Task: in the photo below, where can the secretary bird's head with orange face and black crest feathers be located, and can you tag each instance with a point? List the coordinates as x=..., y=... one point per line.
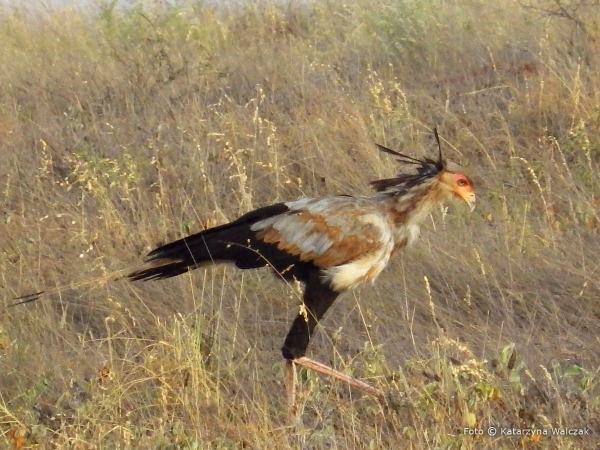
x=448, y=176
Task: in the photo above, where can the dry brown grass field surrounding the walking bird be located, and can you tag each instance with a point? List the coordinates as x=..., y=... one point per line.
x=122, y=129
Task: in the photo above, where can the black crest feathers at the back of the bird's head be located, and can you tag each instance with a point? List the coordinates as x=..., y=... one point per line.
x=426, y=168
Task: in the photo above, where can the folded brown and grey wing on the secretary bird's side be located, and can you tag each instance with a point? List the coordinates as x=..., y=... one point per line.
x=329, y=231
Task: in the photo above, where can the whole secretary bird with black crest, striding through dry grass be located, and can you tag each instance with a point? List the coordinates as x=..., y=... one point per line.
x=332, y=244
